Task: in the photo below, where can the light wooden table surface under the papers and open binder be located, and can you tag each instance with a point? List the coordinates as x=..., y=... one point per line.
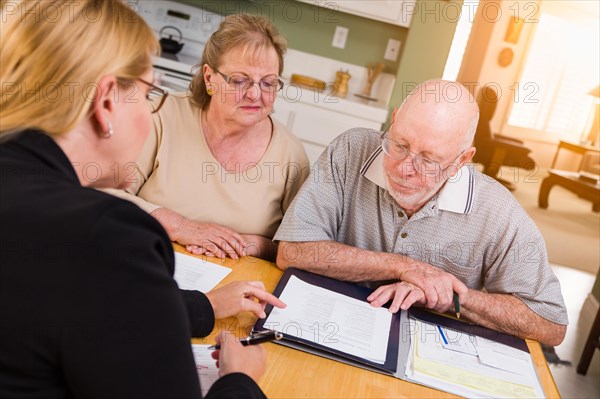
x=295, y=374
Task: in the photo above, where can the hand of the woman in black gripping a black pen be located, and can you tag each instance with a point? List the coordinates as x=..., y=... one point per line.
x=235, y=358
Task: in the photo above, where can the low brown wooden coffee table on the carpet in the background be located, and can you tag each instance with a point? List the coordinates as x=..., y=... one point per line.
x=572, y=182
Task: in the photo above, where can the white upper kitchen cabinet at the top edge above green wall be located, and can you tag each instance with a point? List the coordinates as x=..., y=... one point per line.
x=397, y=12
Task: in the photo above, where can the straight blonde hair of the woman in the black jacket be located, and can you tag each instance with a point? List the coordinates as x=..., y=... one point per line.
x=55, y=52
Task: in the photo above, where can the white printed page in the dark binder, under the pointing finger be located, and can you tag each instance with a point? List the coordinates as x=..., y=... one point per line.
x=333, y=320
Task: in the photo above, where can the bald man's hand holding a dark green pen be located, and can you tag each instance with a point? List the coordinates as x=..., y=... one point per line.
x=437, y=285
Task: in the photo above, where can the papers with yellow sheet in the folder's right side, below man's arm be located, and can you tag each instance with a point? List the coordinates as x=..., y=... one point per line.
x=469, y=366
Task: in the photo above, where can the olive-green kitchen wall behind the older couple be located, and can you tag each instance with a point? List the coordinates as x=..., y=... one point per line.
x=423, y=53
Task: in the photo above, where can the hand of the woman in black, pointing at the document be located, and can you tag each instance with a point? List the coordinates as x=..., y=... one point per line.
x=242, y=296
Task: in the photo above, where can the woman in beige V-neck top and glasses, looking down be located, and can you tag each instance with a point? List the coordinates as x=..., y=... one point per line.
x=218, y=172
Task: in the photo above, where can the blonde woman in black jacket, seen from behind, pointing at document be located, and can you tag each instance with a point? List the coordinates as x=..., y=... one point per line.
x=88, y=305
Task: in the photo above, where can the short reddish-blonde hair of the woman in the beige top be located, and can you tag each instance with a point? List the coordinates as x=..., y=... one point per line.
x=253, y=33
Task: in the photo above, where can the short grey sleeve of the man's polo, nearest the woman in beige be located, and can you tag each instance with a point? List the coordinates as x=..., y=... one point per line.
x=316, y=212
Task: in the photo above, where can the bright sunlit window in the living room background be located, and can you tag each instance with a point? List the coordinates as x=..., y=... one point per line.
x=562, y=64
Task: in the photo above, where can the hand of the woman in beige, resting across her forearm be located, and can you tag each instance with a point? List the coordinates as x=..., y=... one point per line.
x=210, y=239
